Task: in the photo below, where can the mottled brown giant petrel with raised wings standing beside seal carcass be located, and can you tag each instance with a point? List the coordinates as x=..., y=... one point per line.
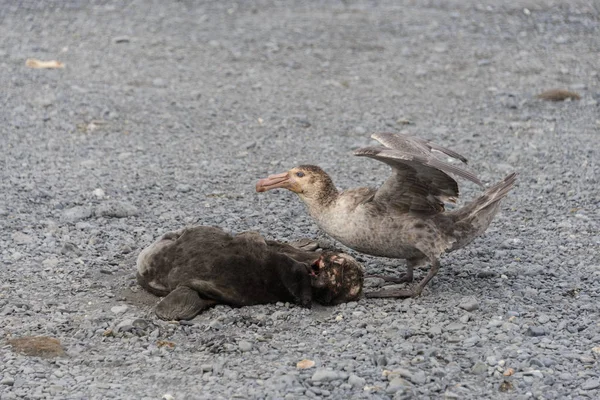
x=405, y=217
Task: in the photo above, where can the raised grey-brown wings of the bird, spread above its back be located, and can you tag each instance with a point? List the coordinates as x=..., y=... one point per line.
x=420, y=181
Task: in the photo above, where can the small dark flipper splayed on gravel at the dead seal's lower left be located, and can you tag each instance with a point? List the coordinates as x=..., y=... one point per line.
x=182, y=303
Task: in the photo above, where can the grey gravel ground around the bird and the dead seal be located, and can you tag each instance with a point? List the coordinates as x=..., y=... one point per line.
x=167, y=113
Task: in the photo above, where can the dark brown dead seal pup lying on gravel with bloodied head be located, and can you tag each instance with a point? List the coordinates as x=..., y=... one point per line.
x=196, y=268
